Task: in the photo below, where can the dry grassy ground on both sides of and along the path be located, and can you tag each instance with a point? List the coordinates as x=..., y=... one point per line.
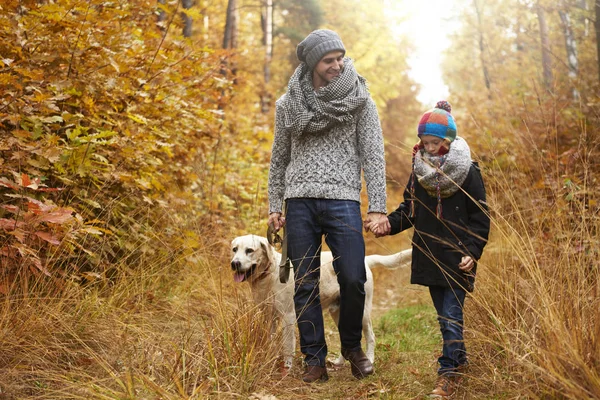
x=185, y=330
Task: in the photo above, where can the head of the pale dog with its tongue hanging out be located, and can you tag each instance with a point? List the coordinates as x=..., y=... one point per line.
x=251, y=256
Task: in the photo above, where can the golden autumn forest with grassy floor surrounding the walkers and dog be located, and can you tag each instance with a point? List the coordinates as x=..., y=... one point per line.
x=135, y=141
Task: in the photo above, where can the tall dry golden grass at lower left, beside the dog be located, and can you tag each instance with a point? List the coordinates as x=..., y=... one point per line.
x=174, y=328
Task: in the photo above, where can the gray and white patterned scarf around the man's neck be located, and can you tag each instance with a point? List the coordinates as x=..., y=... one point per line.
x=313, y=111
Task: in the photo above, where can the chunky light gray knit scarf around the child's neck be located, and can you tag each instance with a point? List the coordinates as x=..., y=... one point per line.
x=441, y=176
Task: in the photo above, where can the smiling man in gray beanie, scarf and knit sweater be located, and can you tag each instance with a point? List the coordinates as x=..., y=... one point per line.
x=327, y=131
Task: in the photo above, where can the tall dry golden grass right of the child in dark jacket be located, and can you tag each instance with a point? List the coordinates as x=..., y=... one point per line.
x=534, y=323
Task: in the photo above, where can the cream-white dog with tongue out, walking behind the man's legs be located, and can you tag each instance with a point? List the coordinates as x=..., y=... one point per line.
x=255, y=261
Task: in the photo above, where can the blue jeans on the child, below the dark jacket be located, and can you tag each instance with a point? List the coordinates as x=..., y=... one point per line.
x=449, y=305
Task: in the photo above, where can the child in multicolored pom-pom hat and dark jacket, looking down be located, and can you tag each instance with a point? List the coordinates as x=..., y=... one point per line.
x=444, y=201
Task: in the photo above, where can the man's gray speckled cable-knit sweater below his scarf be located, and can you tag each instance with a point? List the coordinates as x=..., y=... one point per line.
x=328, y=165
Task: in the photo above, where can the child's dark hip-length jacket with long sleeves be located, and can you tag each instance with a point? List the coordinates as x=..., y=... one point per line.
x=439, y=244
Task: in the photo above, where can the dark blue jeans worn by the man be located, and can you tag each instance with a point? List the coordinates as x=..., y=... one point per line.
x=340, y=221
